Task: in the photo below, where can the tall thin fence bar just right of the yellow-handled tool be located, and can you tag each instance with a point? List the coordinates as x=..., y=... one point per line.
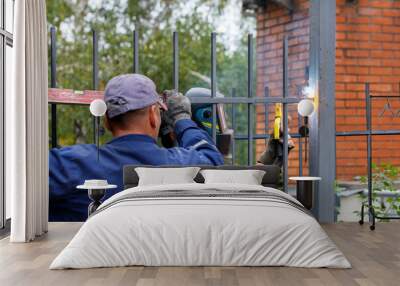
x=285, y=114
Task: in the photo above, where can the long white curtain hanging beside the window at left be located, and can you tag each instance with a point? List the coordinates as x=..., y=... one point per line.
x=26, y=124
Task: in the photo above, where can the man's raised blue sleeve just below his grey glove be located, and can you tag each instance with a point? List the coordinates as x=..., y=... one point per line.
x=199, y=147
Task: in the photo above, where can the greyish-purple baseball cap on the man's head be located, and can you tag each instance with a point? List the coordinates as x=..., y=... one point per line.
x=130, y=92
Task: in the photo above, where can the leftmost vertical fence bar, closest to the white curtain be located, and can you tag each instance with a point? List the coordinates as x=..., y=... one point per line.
x=53, y=84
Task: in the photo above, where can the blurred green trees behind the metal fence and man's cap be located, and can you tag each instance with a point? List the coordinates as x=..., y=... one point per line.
x=155, y=20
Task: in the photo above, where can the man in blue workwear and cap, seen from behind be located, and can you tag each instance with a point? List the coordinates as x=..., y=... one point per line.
x=134, y=117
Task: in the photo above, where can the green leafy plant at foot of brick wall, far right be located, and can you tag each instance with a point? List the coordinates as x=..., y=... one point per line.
x=383, y=179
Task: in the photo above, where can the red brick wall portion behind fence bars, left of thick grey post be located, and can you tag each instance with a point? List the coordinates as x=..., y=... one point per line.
x=272, y=24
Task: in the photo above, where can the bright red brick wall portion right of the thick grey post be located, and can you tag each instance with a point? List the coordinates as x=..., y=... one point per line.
x=367, y=50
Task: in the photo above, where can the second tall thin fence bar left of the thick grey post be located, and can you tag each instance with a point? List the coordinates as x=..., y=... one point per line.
x=250, y=106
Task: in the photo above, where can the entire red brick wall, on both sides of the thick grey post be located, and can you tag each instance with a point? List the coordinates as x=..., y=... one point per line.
x=368, y=50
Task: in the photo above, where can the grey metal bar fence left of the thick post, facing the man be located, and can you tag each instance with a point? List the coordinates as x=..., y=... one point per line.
x=250, y=100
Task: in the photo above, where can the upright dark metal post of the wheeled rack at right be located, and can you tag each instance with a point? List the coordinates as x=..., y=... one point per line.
x=369, y=144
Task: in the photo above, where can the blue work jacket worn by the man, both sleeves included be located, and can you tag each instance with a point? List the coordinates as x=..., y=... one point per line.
x=71, y=166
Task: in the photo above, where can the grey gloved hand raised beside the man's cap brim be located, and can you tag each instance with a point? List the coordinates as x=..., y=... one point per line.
x=178, y=107
